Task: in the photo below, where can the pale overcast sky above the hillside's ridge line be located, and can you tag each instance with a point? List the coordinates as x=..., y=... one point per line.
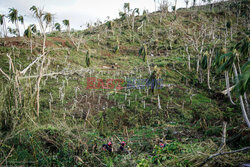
x=79, y=12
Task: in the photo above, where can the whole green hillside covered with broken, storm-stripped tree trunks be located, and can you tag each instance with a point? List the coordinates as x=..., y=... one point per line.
x=189, y=113
